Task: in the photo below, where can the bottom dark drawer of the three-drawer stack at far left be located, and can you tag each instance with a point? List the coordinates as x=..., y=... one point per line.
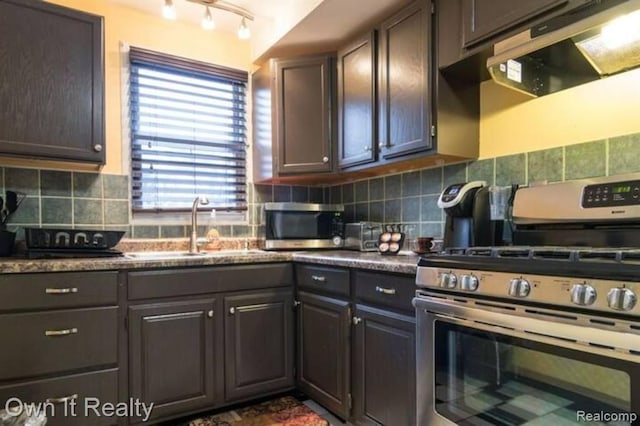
x=88, y=387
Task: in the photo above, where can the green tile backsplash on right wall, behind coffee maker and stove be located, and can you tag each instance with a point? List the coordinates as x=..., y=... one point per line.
x=401, y=191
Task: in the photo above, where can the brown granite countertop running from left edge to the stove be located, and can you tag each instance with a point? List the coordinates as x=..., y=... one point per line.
x=157, y=260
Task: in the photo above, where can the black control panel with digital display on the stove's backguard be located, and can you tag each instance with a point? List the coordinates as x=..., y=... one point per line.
x=613, y=194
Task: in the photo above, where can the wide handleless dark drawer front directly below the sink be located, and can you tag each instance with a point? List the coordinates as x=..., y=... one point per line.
x=192, y=281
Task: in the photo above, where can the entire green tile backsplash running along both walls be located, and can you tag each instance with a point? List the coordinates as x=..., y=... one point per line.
x=95, y=200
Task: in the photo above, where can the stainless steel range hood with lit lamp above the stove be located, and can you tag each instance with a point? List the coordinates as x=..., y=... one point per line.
x=595, y=41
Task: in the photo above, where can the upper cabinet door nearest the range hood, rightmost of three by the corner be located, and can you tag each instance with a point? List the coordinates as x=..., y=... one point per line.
x=404, y=83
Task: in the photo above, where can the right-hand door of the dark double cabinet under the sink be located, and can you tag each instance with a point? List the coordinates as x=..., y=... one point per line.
x=258, y=343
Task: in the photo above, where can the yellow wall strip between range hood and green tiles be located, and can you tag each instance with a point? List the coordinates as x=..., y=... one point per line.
x=512, y=122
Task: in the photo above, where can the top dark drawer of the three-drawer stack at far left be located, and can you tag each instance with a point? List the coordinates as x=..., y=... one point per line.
x=58, y=290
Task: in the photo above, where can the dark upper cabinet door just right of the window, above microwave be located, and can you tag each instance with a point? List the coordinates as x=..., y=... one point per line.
x=304, y=116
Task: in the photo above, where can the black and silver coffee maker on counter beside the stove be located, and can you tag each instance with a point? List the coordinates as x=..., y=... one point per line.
x=468, y=210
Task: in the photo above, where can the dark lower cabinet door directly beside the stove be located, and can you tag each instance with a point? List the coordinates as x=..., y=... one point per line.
x=384, y=385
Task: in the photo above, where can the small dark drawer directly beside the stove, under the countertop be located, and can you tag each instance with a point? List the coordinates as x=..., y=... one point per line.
x=394, y=291
